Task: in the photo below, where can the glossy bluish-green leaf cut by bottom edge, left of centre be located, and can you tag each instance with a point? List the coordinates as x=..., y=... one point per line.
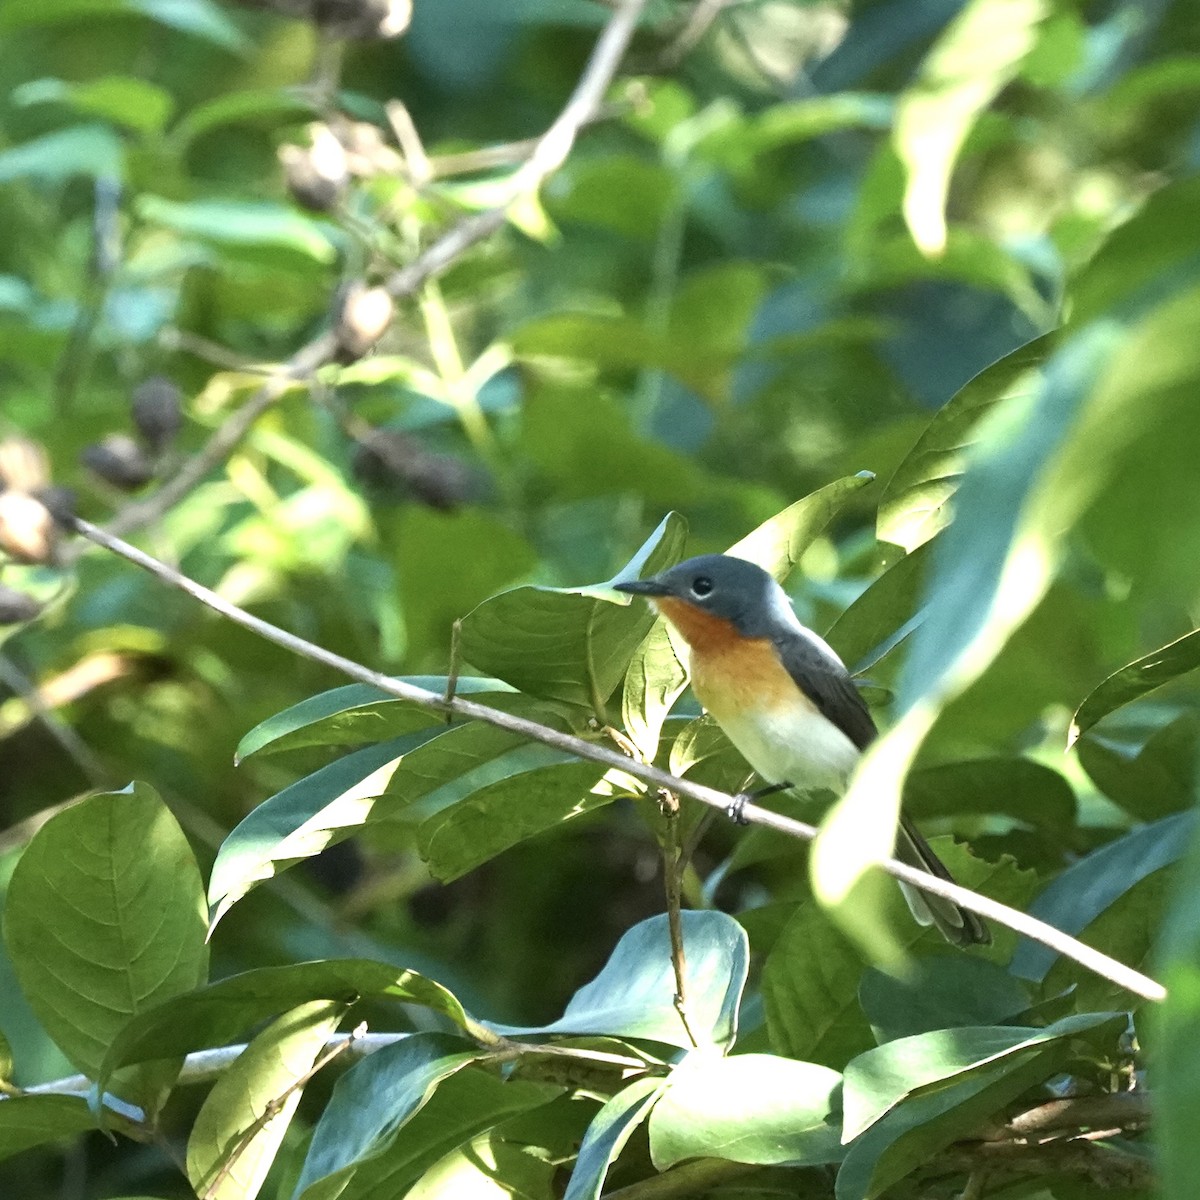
x=373, y=1102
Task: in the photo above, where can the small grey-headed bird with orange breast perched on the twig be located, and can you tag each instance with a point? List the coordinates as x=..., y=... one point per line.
x=784, y=699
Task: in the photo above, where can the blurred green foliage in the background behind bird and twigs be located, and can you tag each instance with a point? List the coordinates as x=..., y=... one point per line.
x=717, y=307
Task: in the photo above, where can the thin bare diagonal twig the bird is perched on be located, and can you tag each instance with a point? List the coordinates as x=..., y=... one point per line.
x=1022, y=923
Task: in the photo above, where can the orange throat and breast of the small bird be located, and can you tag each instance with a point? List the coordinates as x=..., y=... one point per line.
x=730, y=674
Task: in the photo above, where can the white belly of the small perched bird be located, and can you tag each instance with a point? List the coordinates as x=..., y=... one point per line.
x=799, y=747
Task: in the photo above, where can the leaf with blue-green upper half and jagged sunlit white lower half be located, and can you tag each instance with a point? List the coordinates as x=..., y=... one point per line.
x=315, y=813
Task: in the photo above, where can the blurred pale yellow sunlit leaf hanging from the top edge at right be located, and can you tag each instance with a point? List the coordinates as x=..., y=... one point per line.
x=976, y=56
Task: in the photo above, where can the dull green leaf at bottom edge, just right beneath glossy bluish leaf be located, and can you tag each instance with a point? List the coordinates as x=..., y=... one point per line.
x=465, y=1105
